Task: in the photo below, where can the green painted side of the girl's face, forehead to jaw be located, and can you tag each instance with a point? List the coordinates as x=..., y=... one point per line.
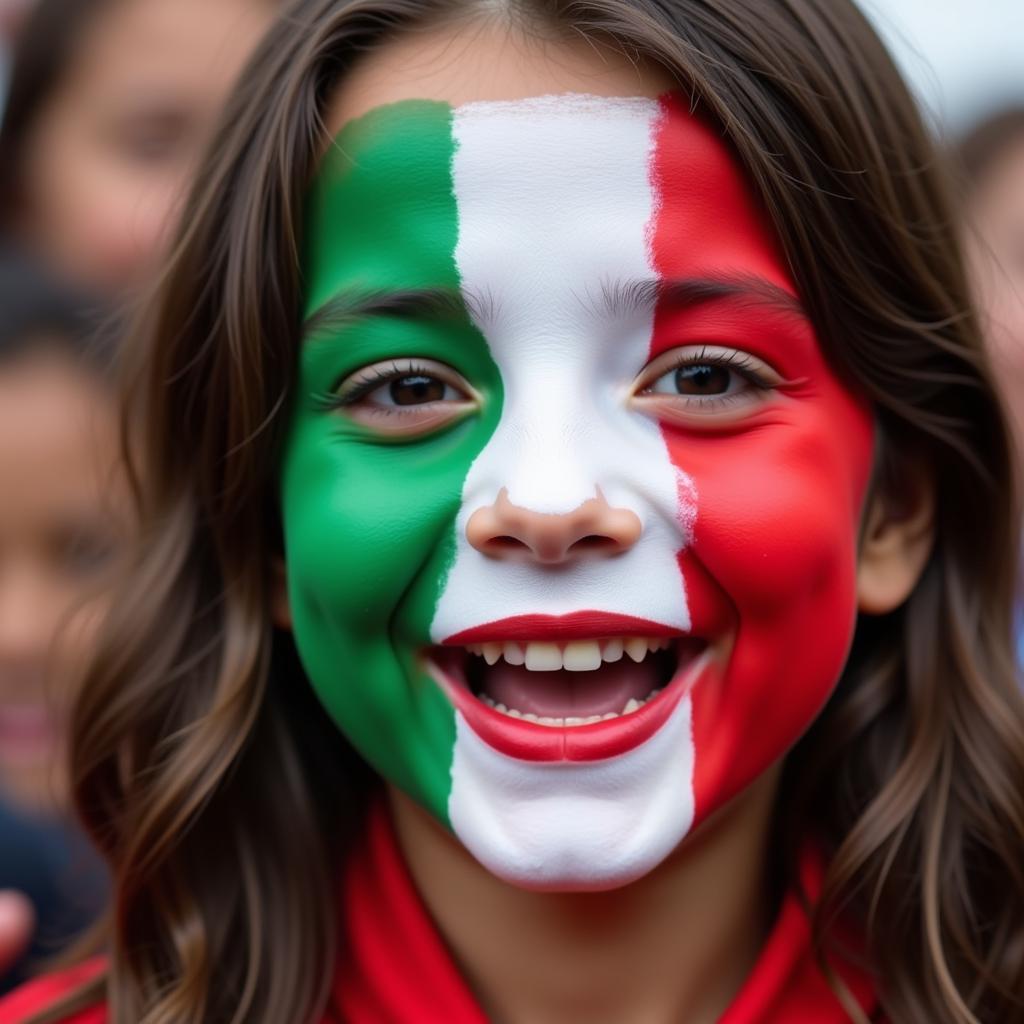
x=369, y=521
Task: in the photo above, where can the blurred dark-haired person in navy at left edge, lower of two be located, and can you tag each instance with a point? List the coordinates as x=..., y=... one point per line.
x=62, y=525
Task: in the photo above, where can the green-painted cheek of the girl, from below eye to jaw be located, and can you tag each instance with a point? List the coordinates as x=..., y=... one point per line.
x=368, y=536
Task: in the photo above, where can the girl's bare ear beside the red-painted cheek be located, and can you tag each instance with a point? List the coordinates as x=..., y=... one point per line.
x=895, y=544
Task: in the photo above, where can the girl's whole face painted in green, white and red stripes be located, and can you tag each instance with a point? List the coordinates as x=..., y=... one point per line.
x=571, y=496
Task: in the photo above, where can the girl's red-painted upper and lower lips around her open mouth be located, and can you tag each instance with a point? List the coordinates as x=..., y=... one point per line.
x=531, y=742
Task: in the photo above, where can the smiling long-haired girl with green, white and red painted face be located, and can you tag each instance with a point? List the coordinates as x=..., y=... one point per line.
x=578, y=408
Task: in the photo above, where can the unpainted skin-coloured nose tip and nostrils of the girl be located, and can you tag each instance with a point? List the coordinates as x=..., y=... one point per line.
x=509, y=532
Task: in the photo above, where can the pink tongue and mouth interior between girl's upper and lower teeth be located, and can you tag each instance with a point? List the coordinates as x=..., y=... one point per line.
x=566, y=695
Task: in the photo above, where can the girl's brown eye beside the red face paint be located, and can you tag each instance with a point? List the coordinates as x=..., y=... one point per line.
x=705, y=380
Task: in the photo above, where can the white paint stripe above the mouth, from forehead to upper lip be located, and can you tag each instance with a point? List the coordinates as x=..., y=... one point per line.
x=556, y=203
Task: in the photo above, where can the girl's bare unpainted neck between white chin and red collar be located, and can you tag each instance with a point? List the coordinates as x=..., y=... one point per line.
x=675, y=946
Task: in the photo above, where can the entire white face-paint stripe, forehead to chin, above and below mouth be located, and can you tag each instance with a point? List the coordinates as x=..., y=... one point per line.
x=556, y=207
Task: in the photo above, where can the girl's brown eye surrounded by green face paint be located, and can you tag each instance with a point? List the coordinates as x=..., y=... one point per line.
x=404, y=398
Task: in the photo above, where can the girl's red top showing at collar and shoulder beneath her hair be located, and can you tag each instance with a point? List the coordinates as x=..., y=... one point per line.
x=398, y=969
